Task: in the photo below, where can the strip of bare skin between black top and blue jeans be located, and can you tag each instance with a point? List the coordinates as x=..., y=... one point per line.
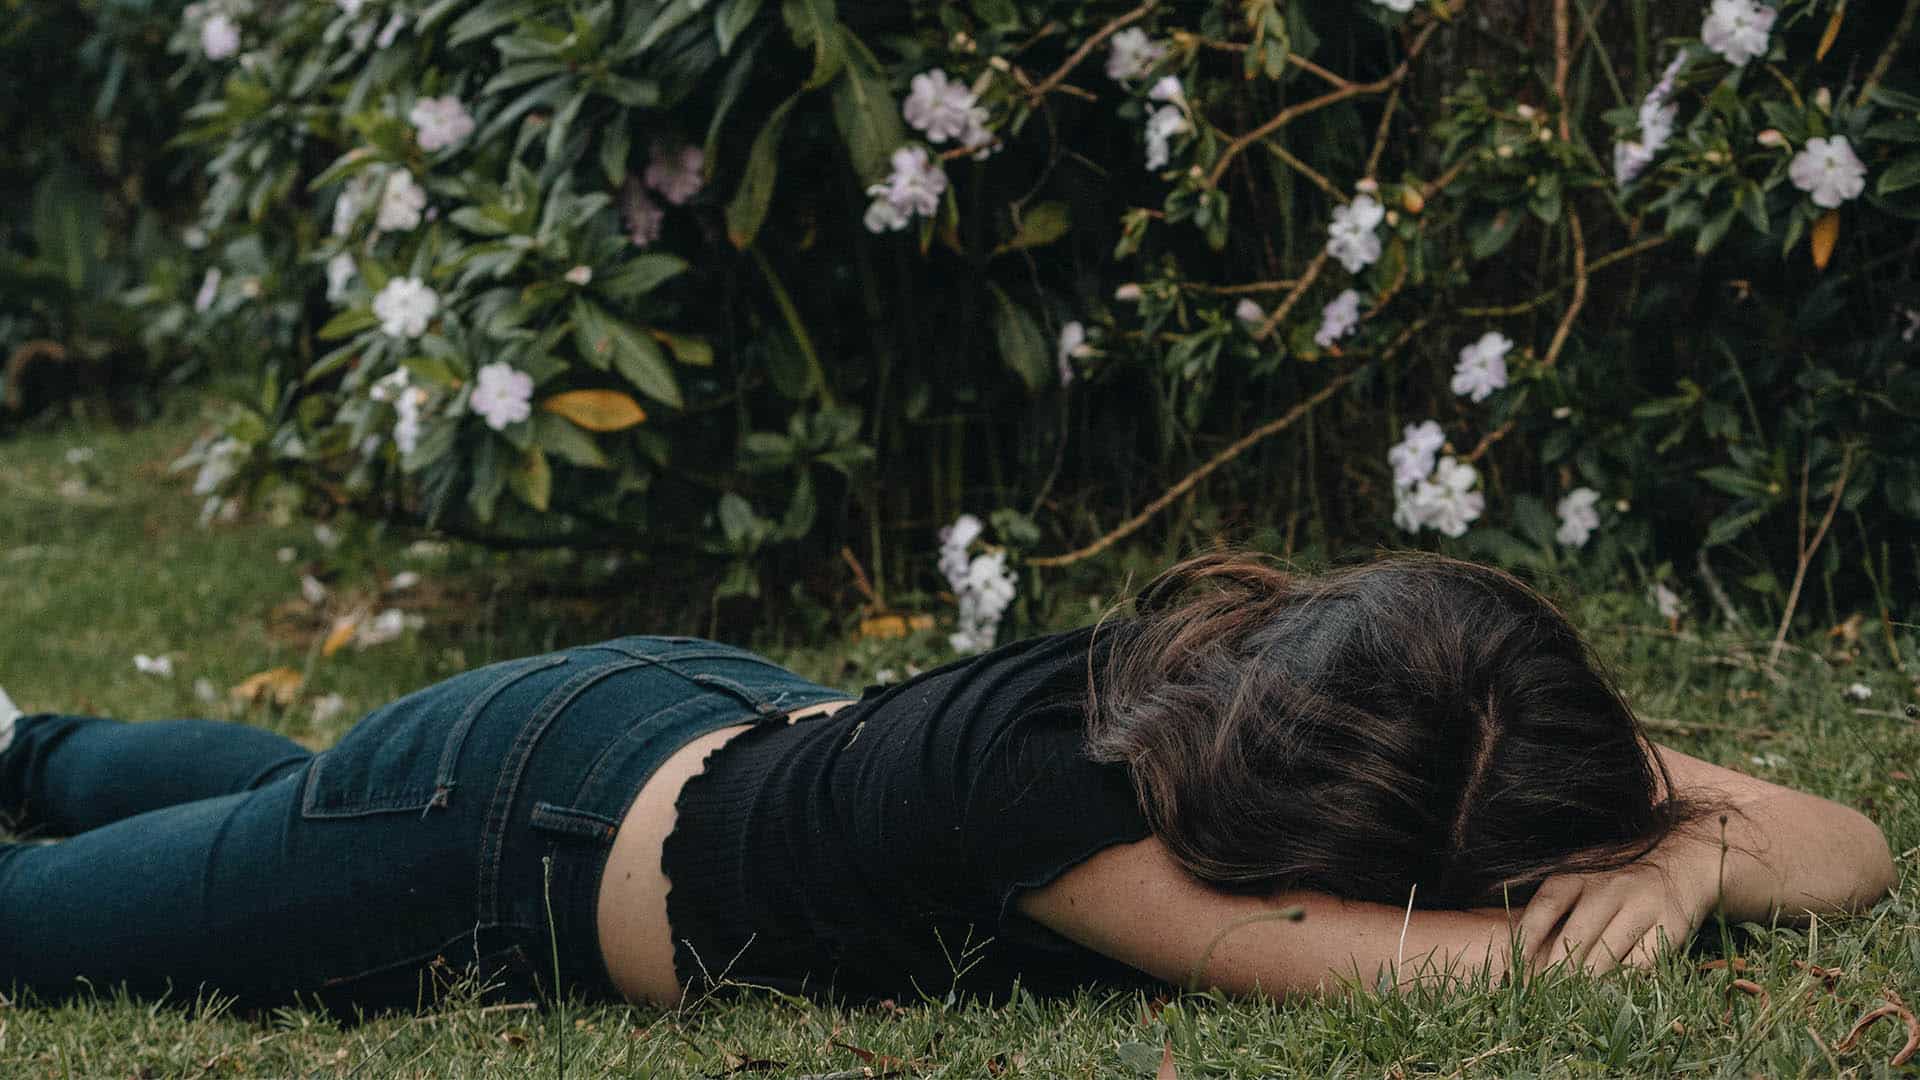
x=636, y=939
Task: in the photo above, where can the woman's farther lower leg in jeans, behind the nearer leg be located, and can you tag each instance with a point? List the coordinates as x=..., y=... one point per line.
x=64, y=775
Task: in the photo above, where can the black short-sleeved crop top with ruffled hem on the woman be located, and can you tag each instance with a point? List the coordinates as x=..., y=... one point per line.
x=878, y=852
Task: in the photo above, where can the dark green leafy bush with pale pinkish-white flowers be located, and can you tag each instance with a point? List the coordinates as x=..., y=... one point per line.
x=677, y=272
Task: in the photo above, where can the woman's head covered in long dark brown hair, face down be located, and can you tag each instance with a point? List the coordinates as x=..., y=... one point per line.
x=1412, y=722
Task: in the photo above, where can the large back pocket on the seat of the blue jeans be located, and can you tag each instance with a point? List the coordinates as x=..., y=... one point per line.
x=402, y=756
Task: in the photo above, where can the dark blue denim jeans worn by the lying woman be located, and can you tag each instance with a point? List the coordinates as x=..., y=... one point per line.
x=458, y=831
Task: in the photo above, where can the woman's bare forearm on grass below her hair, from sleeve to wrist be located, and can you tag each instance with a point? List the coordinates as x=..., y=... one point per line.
x=1141, y=908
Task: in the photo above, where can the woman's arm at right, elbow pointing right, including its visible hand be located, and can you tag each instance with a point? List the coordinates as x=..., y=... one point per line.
x=1787, y=856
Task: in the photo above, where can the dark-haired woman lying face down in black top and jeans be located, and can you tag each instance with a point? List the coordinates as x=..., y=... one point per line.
x=1124, y=804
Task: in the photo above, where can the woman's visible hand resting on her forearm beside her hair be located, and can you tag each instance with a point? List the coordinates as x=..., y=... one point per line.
x=1602, y=921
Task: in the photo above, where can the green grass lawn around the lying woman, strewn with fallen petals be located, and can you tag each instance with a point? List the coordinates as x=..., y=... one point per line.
x=105, y=558
